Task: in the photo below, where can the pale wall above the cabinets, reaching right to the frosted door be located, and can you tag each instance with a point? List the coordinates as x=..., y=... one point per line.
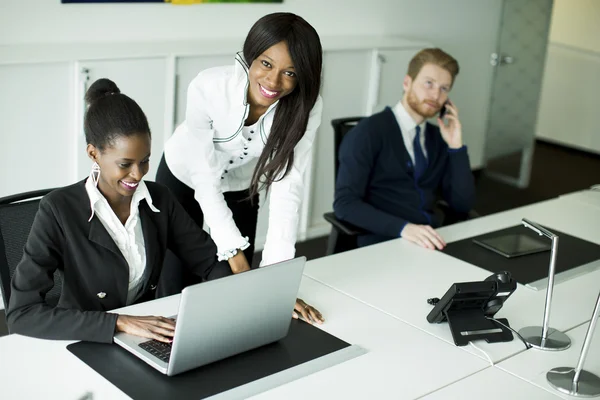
x=466, y=28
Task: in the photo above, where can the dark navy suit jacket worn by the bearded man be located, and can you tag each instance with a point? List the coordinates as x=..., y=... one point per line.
x=376, y=188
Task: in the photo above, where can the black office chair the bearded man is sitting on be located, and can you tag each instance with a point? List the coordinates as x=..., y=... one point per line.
x=343, y=234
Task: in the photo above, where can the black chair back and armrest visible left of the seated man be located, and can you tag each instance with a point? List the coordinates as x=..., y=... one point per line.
x=343, y=234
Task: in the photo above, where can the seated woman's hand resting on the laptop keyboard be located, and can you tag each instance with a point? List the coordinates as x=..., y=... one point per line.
x=159, y=328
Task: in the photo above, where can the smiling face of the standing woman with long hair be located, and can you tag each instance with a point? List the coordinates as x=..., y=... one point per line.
x=272, y=76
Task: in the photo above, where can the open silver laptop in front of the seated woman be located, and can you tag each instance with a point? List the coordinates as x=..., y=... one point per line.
x=218, y=319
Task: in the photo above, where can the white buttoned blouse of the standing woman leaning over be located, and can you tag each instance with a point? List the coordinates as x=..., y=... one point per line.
x=212, y=152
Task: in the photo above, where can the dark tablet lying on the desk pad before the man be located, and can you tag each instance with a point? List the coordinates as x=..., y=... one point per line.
x=514, y=244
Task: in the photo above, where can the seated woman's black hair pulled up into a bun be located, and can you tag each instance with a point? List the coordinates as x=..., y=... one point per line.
x=111, y=114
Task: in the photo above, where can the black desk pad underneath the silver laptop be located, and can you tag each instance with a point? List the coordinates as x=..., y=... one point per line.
x=140, y=381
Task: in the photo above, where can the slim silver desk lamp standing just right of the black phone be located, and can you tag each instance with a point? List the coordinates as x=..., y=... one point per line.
x=543, y=337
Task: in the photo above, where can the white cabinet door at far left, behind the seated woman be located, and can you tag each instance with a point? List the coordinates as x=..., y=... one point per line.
x=35, y=127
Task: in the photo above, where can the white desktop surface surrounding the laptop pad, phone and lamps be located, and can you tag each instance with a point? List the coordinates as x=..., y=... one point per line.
x=376, y=298
